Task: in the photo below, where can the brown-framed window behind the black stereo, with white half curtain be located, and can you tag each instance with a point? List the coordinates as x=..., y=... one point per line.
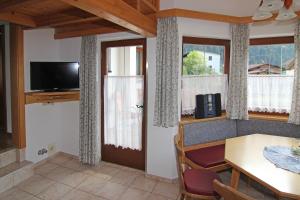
x=205, y=65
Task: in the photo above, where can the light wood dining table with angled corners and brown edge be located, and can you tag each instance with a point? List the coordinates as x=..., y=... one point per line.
x=245, y=155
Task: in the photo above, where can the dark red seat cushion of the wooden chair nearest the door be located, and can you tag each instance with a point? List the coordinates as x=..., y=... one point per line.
x=200, y=181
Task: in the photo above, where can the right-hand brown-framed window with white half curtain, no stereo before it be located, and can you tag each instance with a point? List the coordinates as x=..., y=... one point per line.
x=271, y=74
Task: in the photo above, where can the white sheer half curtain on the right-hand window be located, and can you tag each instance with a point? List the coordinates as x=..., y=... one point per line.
x=270, y=93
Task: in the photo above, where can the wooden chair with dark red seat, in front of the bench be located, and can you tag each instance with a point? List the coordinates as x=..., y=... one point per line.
x=194, y=183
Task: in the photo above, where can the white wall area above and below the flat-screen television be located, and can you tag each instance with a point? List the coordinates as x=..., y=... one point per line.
x=50, y=124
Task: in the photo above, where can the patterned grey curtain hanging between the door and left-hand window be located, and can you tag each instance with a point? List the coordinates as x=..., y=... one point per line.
x=167, y=66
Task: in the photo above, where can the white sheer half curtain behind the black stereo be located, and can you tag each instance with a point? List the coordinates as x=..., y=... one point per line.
x=194, y=85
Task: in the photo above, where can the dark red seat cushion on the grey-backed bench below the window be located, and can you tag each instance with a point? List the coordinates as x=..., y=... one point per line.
x=208, y=157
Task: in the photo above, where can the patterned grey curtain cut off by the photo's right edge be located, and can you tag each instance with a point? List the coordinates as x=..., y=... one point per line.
x=295, y=108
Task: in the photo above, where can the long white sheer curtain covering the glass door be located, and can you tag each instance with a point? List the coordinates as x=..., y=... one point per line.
x=123, y=96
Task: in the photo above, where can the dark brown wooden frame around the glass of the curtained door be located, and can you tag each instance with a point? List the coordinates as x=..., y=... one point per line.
x=118, y=159
